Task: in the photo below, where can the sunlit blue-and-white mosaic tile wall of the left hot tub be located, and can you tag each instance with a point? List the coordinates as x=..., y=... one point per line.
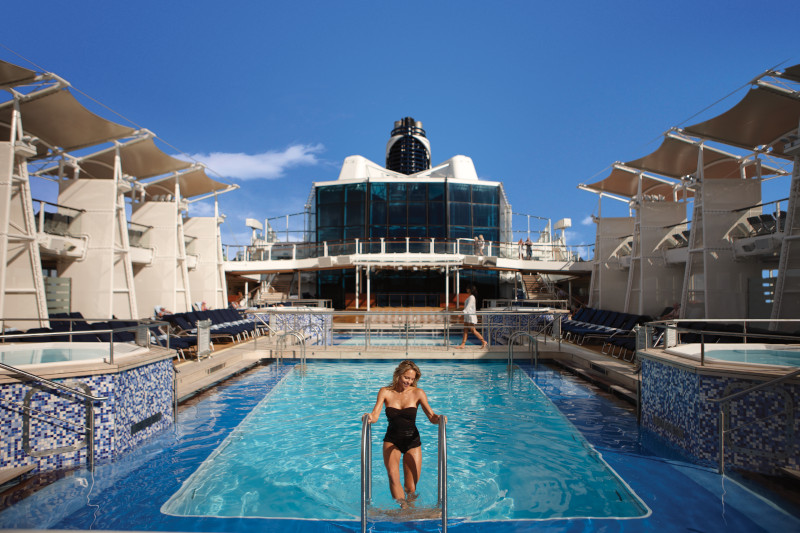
x=139, y=405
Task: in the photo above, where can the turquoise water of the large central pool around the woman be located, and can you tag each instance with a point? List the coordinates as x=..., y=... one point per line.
x=512, y=454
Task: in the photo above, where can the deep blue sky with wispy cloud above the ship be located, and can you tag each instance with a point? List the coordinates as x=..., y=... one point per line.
x=541, y=95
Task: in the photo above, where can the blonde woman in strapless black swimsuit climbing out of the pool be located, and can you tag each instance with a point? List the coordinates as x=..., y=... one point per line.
x=402, y=436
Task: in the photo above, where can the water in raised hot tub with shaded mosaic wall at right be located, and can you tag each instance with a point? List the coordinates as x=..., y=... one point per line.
x=786, y=355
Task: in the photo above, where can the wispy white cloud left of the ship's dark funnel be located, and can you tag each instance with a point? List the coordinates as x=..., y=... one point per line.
x=266, y=165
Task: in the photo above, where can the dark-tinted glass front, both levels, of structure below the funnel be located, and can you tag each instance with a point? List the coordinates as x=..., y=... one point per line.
x=418, y=208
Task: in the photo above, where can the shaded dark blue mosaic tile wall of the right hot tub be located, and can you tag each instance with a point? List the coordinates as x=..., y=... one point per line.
x=674, y=406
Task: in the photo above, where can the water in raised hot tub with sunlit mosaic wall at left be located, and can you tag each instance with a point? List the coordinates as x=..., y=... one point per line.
x=60, y=352
